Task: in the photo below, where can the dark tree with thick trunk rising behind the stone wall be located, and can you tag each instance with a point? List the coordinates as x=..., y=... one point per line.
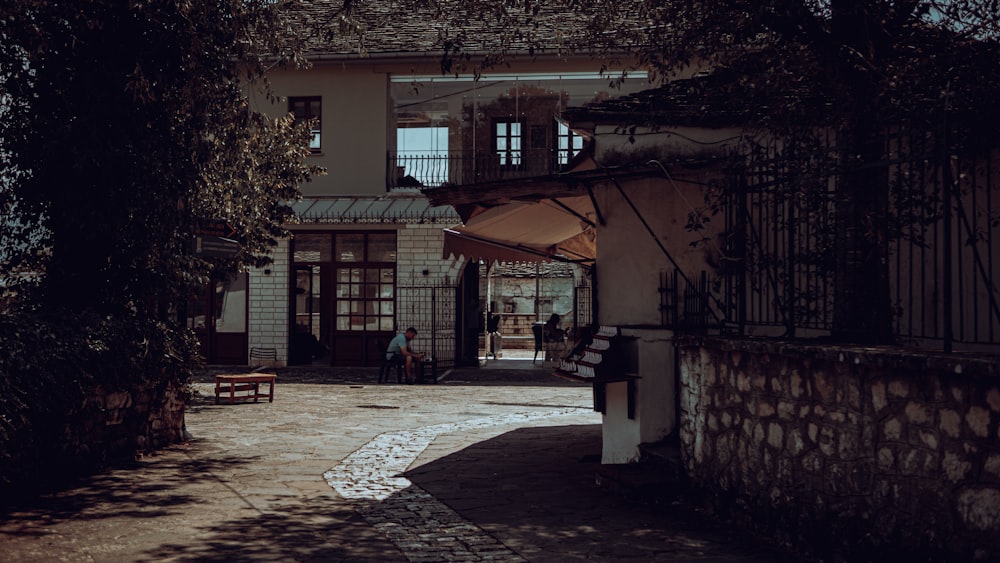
x=873, y=65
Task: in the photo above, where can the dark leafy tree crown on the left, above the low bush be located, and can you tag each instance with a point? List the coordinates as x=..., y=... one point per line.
x=129, y=124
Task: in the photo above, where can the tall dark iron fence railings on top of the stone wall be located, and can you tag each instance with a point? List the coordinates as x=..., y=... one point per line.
x=944, y=249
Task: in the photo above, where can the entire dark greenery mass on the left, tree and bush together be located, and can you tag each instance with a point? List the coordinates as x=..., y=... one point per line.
x=124, y=126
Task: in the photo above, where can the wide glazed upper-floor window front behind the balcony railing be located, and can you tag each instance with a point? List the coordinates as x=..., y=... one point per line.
x=467, y=129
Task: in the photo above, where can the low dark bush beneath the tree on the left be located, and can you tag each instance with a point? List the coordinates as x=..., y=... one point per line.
x=52, y=367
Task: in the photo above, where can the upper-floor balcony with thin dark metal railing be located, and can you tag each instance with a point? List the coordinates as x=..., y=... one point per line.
x=459, y=168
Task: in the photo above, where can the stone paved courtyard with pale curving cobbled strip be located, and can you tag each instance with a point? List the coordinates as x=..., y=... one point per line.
x=487, y=465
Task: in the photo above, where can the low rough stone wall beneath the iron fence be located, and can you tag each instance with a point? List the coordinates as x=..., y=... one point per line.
x=846, y=452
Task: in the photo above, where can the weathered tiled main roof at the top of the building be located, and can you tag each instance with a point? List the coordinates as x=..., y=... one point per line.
x=393, y=27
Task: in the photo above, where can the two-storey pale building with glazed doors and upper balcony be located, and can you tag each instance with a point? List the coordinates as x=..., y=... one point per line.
x=368, y=256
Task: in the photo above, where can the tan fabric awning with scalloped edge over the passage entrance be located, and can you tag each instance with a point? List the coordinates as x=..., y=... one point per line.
x=549, y=229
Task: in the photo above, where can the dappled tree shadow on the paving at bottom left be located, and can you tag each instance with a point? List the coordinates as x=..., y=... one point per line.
x=173, y=504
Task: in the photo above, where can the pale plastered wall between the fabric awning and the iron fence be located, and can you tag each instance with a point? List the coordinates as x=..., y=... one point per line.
x=630, y=265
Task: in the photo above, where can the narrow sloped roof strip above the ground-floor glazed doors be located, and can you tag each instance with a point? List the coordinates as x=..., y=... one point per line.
x=393, y=208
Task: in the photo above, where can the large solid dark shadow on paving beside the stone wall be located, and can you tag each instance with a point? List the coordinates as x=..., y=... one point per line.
x=535, y=490
